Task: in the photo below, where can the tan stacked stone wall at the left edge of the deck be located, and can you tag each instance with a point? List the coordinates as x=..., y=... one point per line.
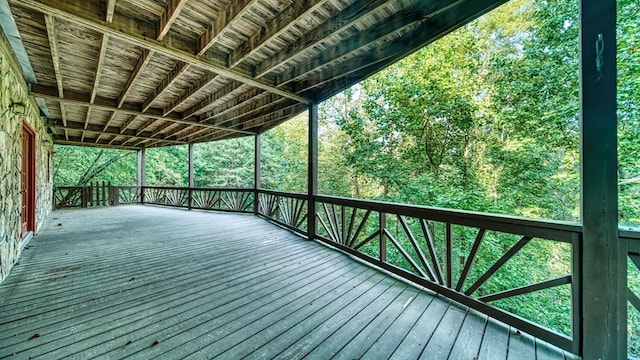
x=13, y=90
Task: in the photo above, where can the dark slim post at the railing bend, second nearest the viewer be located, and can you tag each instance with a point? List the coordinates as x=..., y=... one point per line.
x=312, y=171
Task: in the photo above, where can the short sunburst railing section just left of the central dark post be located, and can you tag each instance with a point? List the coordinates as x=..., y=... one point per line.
x=287, y=209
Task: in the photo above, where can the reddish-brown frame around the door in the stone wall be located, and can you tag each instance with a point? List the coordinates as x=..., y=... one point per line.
x=29, y=161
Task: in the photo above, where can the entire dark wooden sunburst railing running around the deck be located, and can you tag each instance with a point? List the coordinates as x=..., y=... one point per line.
x=462, y=255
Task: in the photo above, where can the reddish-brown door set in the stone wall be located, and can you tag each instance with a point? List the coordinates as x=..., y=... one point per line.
x=27, y=180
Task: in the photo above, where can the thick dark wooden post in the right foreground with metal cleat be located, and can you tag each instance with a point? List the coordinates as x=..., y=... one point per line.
x=604, y=257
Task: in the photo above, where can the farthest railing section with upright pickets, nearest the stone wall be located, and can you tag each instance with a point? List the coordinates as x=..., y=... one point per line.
x=93, y=195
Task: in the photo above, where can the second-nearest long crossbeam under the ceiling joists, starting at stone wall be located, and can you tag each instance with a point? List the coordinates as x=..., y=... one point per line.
x=80, y=99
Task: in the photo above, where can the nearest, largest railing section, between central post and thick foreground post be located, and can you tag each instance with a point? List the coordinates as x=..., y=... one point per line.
x=465, y=256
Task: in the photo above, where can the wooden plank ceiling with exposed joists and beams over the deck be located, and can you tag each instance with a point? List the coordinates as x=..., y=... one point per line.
x=145, y=73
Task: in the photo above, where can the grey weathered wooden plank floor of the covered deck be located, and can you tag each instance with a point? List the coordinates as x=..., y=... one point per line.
x=142, y=282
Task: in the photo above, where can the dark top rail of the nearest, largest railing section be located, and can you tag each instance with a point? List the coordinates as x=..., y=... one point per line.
x=547, y=229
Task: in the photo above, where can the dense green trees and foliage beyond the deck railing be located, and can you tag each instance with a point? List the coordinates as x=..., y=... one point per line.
x=485, y=119
